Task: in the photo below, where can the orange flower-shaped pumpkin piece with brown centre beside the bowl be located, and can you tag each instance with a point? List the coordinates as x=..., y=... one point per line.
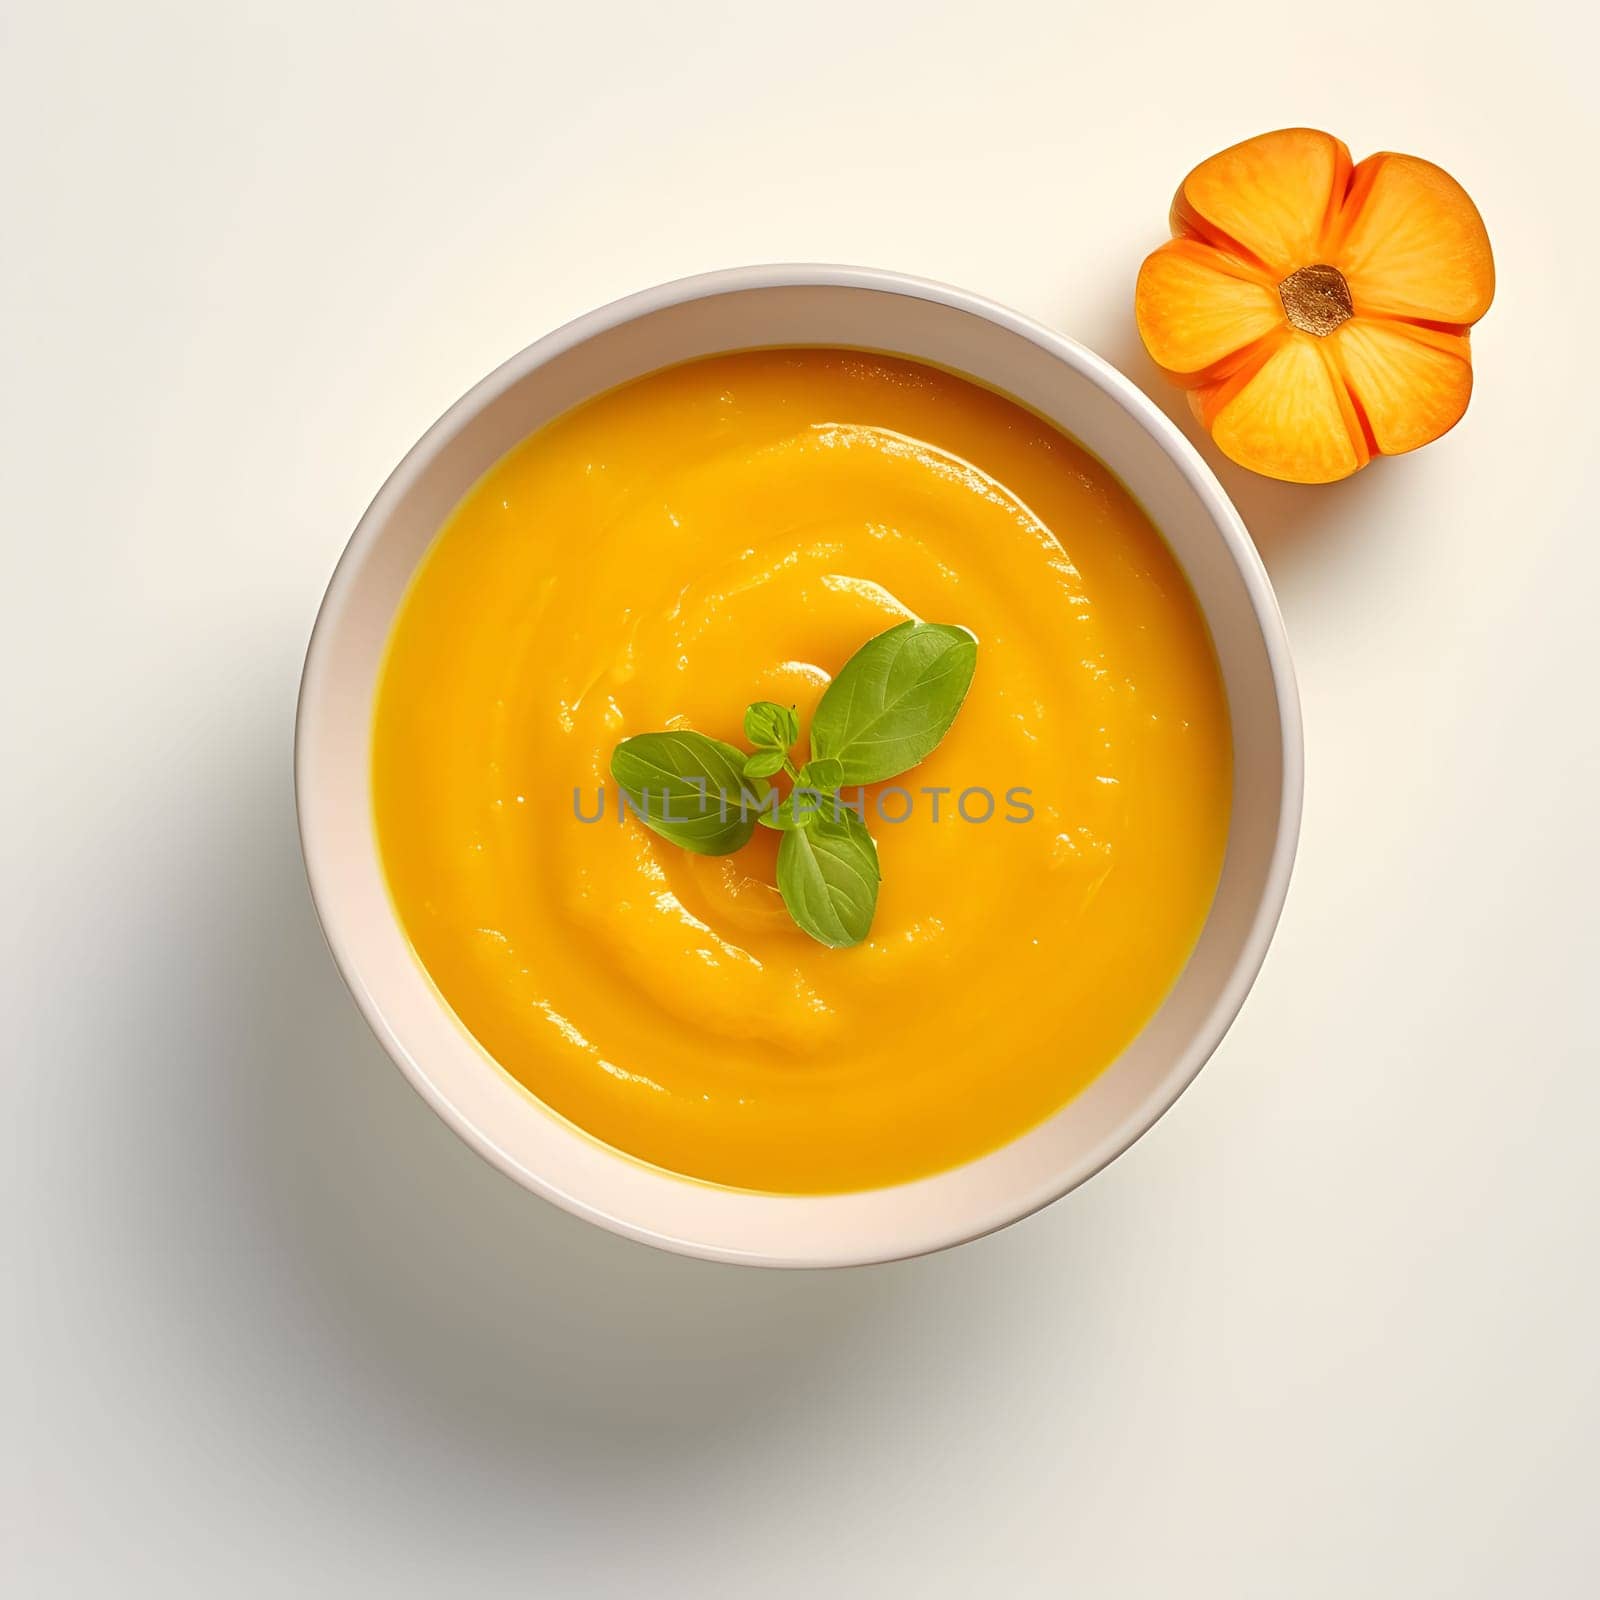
x=1318, y=311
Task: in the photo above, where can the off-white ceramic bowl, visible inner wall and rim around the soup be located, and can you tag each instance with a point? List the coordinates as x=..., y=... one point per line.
x=730, y=311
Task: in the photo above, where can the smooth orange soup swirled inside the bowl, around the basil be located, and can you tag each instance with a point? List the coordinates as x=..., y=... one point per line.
x=734, y=530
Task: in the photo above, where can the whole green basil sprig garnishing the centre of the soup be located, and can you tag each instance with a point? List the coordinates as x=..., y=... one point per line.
x=887, y=711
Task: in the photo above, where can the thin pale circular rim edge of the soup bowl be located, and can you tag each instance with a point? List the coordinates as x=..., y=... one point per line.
x=1202, y=482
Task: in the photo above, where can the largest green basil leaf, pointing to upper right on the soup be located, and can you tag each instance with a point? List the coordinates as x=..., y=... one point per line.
x=895, y=700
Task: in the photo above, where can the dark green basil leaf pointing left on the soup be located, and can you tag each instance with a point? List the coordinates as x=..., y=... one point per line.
x=687, y=788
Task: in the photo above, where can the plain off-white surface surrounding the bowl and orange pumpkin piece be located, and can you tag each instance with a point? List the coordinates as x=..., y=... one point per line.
x=1329, y=1330
